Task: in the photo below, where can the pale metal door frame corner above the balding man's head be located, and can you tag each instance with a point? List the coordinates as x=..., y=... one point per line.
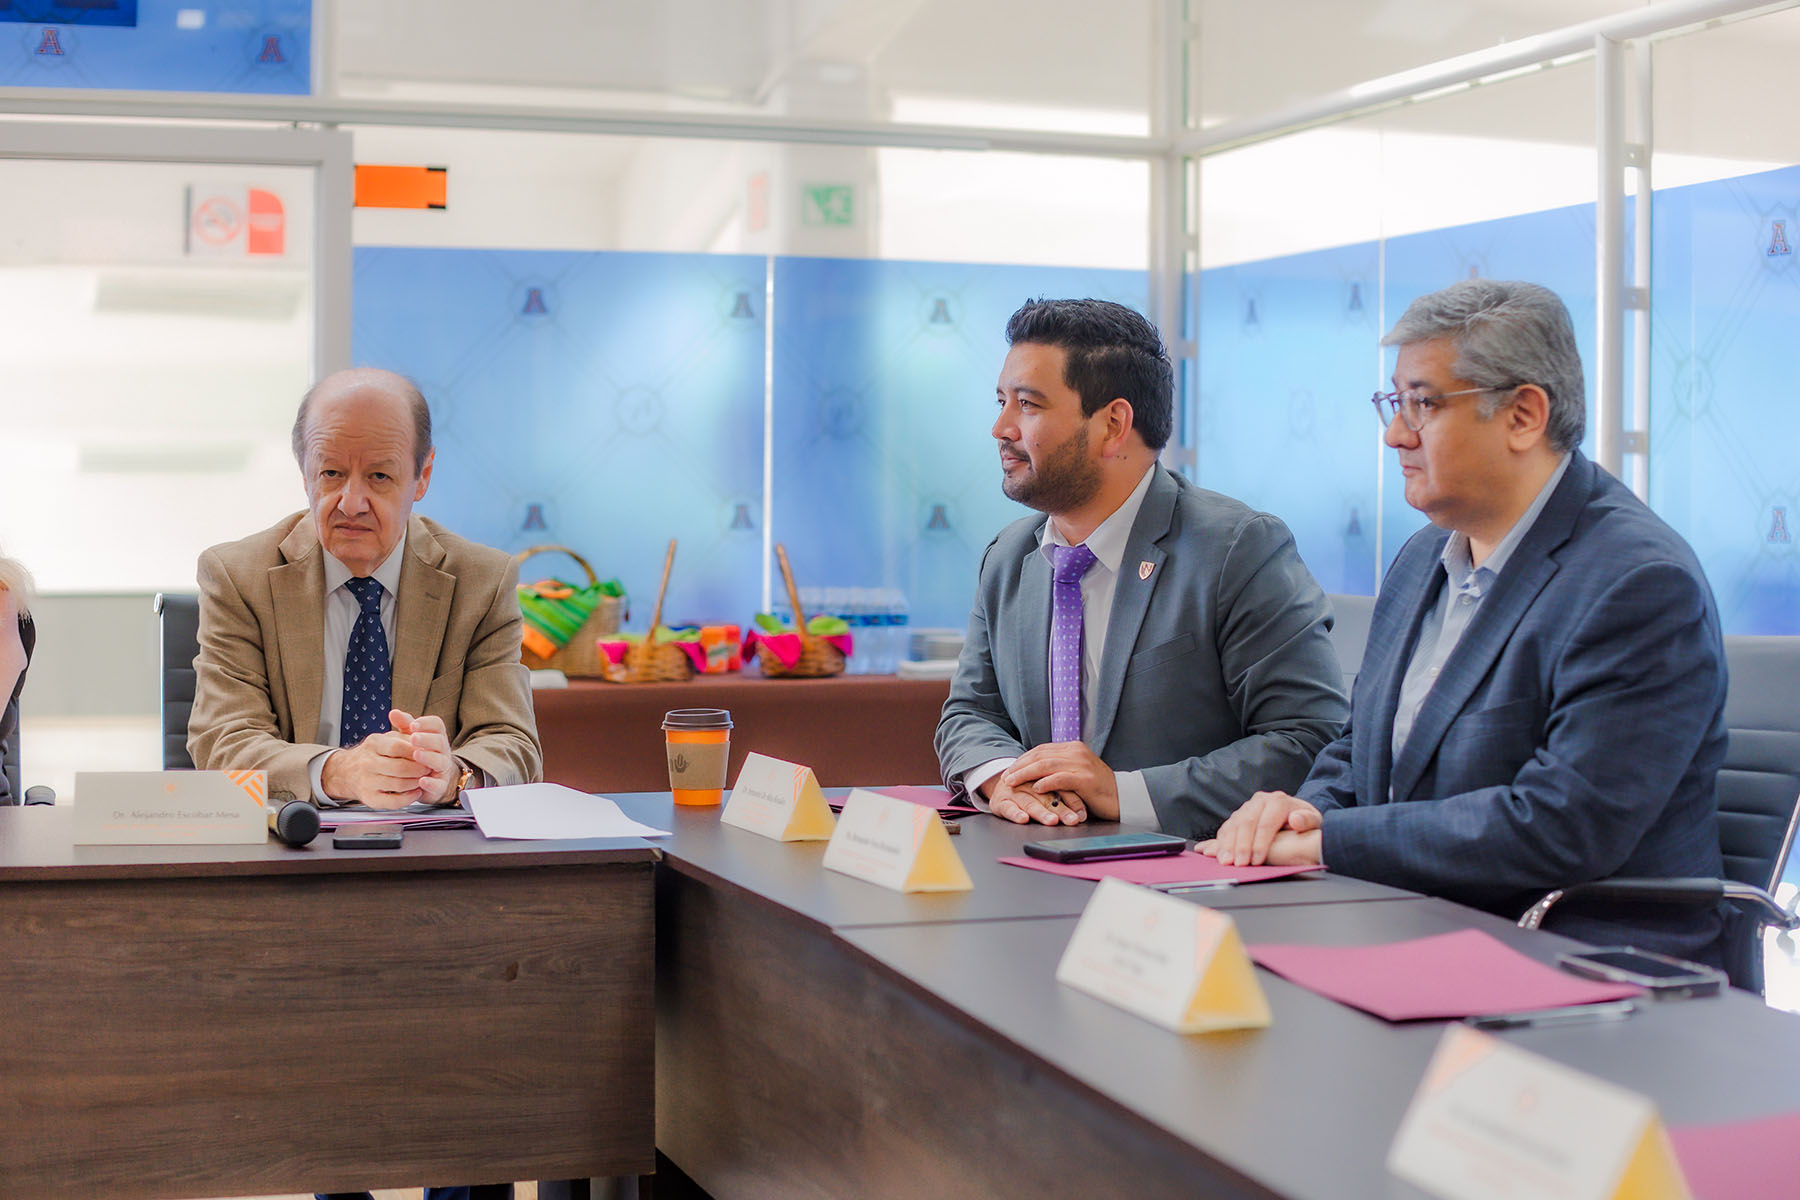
x=327, y=152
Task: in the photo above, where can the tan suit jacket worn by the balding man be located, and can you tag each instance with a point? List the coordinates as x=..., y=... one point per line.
x=260, y=674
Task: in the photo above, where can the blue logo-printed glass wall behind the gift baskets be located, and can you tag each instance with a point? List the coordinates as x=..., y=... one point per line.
x=611, y=402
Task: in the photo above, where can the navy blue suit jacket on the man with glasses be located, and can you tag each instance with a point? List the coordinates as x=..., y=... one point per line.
x=1576, y=731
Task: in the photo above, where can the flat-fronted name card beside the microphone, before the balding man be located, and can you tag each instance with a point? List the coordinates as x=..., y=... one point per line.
x=172, y=809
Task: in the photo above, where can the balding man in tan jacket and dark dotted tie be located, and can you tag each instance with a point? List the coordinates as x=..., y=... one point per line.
x=357, y=652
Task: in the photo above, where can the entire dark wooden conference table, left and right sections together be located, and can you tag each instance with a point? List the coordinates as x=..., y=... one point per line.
x=228, y=1019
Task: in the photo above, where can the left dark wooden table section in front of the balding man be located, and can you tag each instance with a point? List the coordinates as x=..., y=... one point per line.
x=256, y=1019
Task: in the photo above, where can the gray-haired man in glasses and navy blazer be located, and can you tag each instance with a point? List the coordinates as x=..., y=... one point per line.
x=1542, y=701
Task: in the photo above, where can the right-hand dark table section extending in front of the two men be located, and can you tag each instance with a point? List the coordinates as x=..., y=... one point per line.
x=823, y=1037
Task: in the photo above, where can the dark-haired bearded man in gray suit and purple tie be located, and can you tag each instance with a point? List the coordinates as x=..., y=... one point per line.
x=1149, y=652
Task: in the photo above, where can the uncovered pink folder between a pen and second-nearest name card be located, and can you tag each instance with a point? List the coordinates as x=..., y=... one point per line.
x=1462, y=974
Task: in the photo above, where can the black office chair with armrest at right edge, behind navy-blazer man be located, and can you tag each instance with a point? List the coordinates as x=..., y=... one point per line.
x=1759, y=807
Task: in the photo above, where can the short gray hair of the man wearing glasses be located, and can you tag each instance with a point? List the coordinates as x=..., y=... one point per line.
x=1507, y=336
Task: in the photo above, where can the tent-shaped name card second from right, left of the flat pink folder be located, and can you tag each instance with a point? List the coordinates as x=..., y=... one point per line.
x=1164, y=960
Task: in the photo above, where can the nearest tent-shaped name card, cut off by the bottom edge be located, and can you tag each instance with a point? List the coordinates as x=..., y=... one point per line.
x=1498, y=1124
